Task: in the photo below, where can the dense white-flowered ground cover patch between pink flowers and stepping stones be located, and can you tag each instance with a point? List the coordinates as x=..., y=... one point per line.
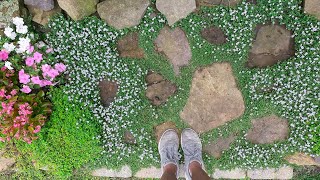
x=87, y=48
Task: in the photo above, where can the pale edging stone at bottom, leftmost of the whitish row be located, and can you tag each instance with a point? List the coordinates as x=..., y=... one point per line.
x=124, y=172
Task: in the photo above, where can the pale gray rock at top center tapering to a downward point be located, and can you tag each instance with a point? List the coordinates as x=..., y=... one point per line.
x=174, y=10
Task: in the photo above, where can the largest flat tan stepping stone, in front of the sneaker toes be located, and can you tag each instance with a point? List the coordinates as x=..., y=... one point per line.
x=214, y=98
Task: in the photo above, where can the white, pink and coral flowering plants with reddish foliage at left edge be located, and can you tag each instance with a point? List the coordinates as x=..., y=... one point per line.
x=26, y=68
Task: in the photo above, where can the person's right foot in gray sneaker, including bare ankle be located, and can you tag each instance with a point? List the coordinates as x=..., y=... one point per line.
x=192, y=148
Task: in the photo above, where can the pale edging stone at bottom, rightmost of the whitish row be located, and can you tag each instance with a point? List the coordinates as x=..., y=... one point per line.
x=271, y=173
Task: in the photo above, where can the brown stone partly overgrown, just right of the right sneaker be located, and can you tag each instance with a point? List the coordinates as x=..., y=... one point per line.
x=217, y=147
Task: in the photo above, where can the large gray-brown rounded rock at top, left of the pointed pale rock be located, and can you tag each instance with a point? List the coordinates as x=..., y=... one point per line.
x=122, y=13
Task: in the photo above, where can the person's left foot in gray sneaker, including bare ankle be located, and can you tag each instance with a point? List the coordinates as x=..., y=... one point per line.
x=168, y=150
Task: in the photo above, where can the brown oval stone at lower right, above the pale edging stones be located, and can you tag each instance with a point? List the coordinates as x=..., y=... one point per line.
x=268, y=130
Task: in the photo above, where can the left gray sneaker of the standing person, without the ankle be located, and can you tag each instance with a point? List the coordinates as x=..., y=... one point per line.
x=168, y=149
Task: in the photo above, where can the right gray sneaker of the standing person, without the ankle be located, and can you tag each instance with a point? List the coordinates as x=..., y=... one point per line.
x=192, y=148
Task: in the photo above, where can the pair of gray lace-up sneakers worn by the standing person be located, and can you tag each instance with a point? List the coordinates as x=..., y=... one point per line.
x=191, y=146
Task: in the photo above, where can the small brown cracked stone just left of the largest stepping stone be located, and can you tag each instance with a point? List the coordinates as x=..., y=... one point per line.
x=158, y=89
